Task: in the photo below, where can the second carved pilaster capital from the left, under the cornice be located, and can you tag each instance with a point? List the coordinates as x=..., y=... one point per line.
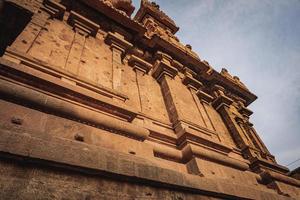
x=82, y=24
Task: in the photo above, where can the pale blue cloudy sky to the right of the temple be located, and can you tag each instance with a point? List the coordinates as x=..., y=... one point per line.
x=259, y=41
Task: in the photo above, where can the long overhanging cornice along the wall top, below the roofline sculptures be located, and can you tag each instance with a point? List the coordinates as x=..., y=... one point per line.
x=178, y=51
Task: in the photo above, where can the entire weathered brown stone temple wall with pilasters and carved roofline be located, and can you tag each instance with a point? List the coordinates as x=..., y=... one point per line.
x=98, y=104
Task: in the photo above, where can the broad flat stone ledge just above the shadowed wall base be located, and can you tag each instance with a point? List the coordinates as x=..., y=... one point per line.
x=95, y=160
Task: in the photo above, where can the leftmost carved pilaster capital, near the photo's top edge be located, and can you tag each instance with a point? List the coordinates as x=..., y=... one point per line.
x=56, y=10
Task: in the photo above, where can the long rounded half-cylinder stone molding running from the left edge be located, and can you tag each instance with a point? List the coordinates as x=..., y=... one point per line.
x=71, y=110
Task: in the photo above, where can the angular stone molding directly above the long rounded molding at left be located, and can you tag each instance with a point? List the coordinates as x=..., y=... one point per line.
x=69, y=91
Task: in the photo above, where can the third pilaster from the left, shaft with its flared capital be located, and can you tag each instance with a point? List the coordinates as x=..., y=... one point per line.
x=118, y=46
